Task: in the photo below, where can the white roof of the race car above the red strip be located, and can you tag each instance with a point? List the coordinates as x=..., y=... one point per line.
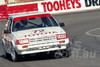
x=26, y=14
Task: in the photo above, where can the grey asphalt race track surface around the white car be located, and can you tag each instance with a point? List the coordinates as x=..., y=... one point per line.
x=83, y=30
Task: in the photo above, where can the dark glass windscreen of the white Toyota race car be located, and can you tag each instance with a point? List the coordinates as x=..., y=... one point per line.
x=34, y=22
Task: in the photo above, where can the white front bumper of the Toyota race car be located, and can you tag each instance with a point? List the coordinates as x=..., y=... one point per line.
x=42, y=49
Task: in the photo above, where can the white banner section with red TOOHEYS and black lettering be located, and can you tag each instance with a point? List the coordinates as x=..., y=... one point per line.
x=59, y=6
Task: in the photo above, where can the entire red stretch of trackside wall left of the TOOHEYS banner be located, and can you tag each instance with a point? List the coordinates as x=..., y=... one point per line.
x=5, y=10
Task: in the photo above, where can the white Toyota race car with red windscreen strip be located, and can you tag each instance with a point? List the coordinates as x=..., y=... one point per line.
x=31, y=33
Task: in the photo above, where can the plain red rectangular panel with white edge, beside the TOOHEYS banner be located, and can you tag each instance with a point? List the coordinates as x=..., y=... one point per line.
x=19, y=8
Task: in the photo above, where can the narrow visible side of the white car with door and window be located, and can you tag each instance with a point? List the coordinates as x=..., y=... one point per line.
x=7, y=34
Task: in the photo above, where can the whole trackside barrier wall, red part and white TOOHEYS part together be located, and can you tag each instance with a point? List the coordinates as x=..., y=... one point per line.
x=51, y=6
